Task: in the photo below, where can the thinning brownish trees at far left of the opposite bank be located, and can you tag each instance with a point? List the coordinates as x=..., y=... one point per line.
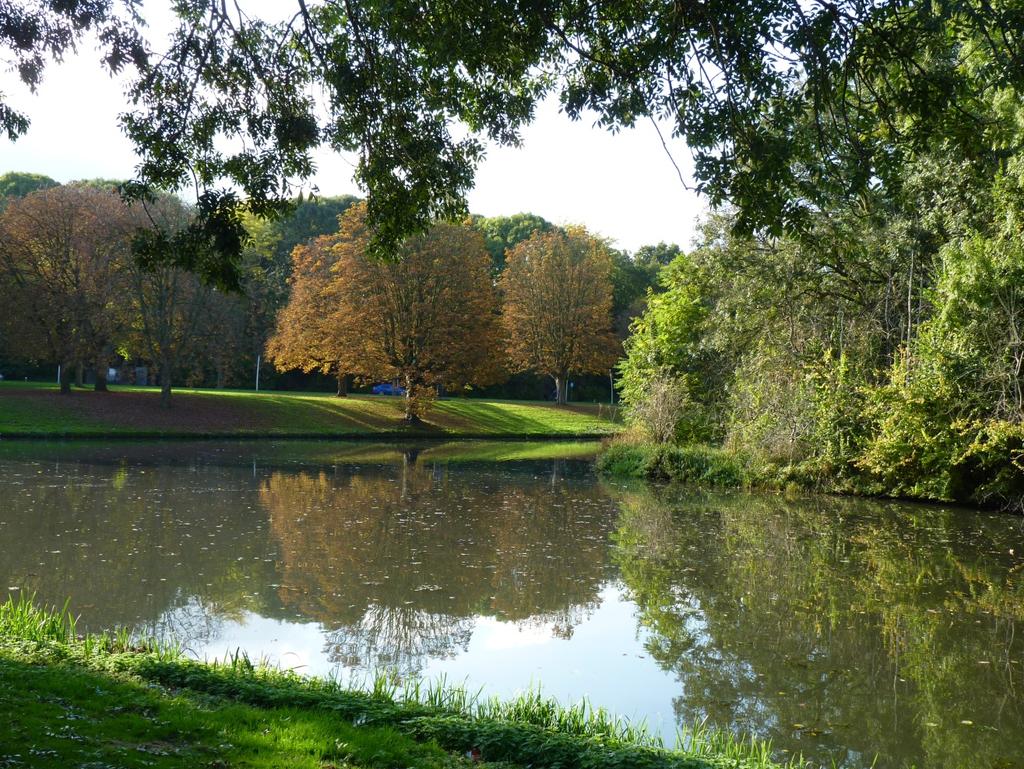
x=75, y=292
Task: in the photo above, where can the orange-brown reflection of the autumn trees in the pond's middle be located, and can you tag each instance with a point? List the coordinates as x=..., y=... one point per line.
x=397, y=563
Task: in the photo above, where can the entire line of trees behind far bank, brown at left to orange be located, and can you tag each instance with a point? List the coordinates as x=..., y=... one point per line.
x=78, y=295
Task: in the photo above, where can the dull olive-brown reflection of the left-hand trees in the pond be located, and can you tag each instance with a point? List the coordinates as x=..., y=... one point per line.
x=130, y=545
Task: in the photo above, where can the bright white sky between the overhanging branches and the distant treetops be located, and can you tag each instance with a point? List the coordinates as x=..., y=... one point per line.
x=623, y=187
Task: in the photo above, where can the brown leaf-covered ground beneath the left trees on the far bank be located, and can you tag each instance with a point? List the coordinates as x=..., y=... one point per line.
x=142, y=411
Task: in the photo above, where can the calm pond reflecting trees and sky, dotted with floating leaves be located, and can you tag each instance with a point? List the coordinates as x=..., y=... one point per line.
x=843, y=630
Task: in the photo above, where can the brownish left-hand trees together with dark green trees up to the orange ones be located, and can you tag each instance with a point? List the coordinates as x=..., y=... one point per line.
x=88, y=281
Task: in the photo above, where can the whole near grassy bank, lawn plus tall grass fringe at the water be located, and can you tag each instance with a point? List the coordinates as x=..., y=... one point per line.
x=140, y=703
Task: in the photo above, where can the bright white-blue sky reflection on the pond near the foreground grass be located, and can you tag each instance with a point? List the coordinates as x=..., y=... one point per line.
x=605, y=661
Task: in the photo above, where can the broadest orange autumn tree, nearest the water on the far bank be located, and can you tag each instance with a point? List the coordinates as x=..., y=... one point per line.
x=429, y=319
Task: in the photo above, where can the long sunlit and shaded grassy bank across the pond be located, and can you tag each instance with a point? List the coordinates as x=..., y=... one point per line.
x=40, y=412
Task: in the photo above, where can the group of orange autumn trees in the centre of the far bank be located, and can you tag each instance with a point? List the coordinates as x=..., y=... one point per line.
x=433, y=320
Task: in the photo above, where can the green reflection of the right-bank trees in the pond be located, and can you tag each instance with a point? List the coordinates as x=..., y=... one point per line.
x=837, y=628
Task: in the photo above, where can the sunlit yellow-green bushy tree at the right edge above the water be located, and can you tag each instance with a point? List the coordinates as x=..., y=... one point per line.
x=949, y=422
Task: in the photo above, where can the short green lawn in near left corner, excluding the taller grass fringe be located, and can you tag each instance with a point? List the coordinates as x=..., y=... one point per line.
x=71, y=717
